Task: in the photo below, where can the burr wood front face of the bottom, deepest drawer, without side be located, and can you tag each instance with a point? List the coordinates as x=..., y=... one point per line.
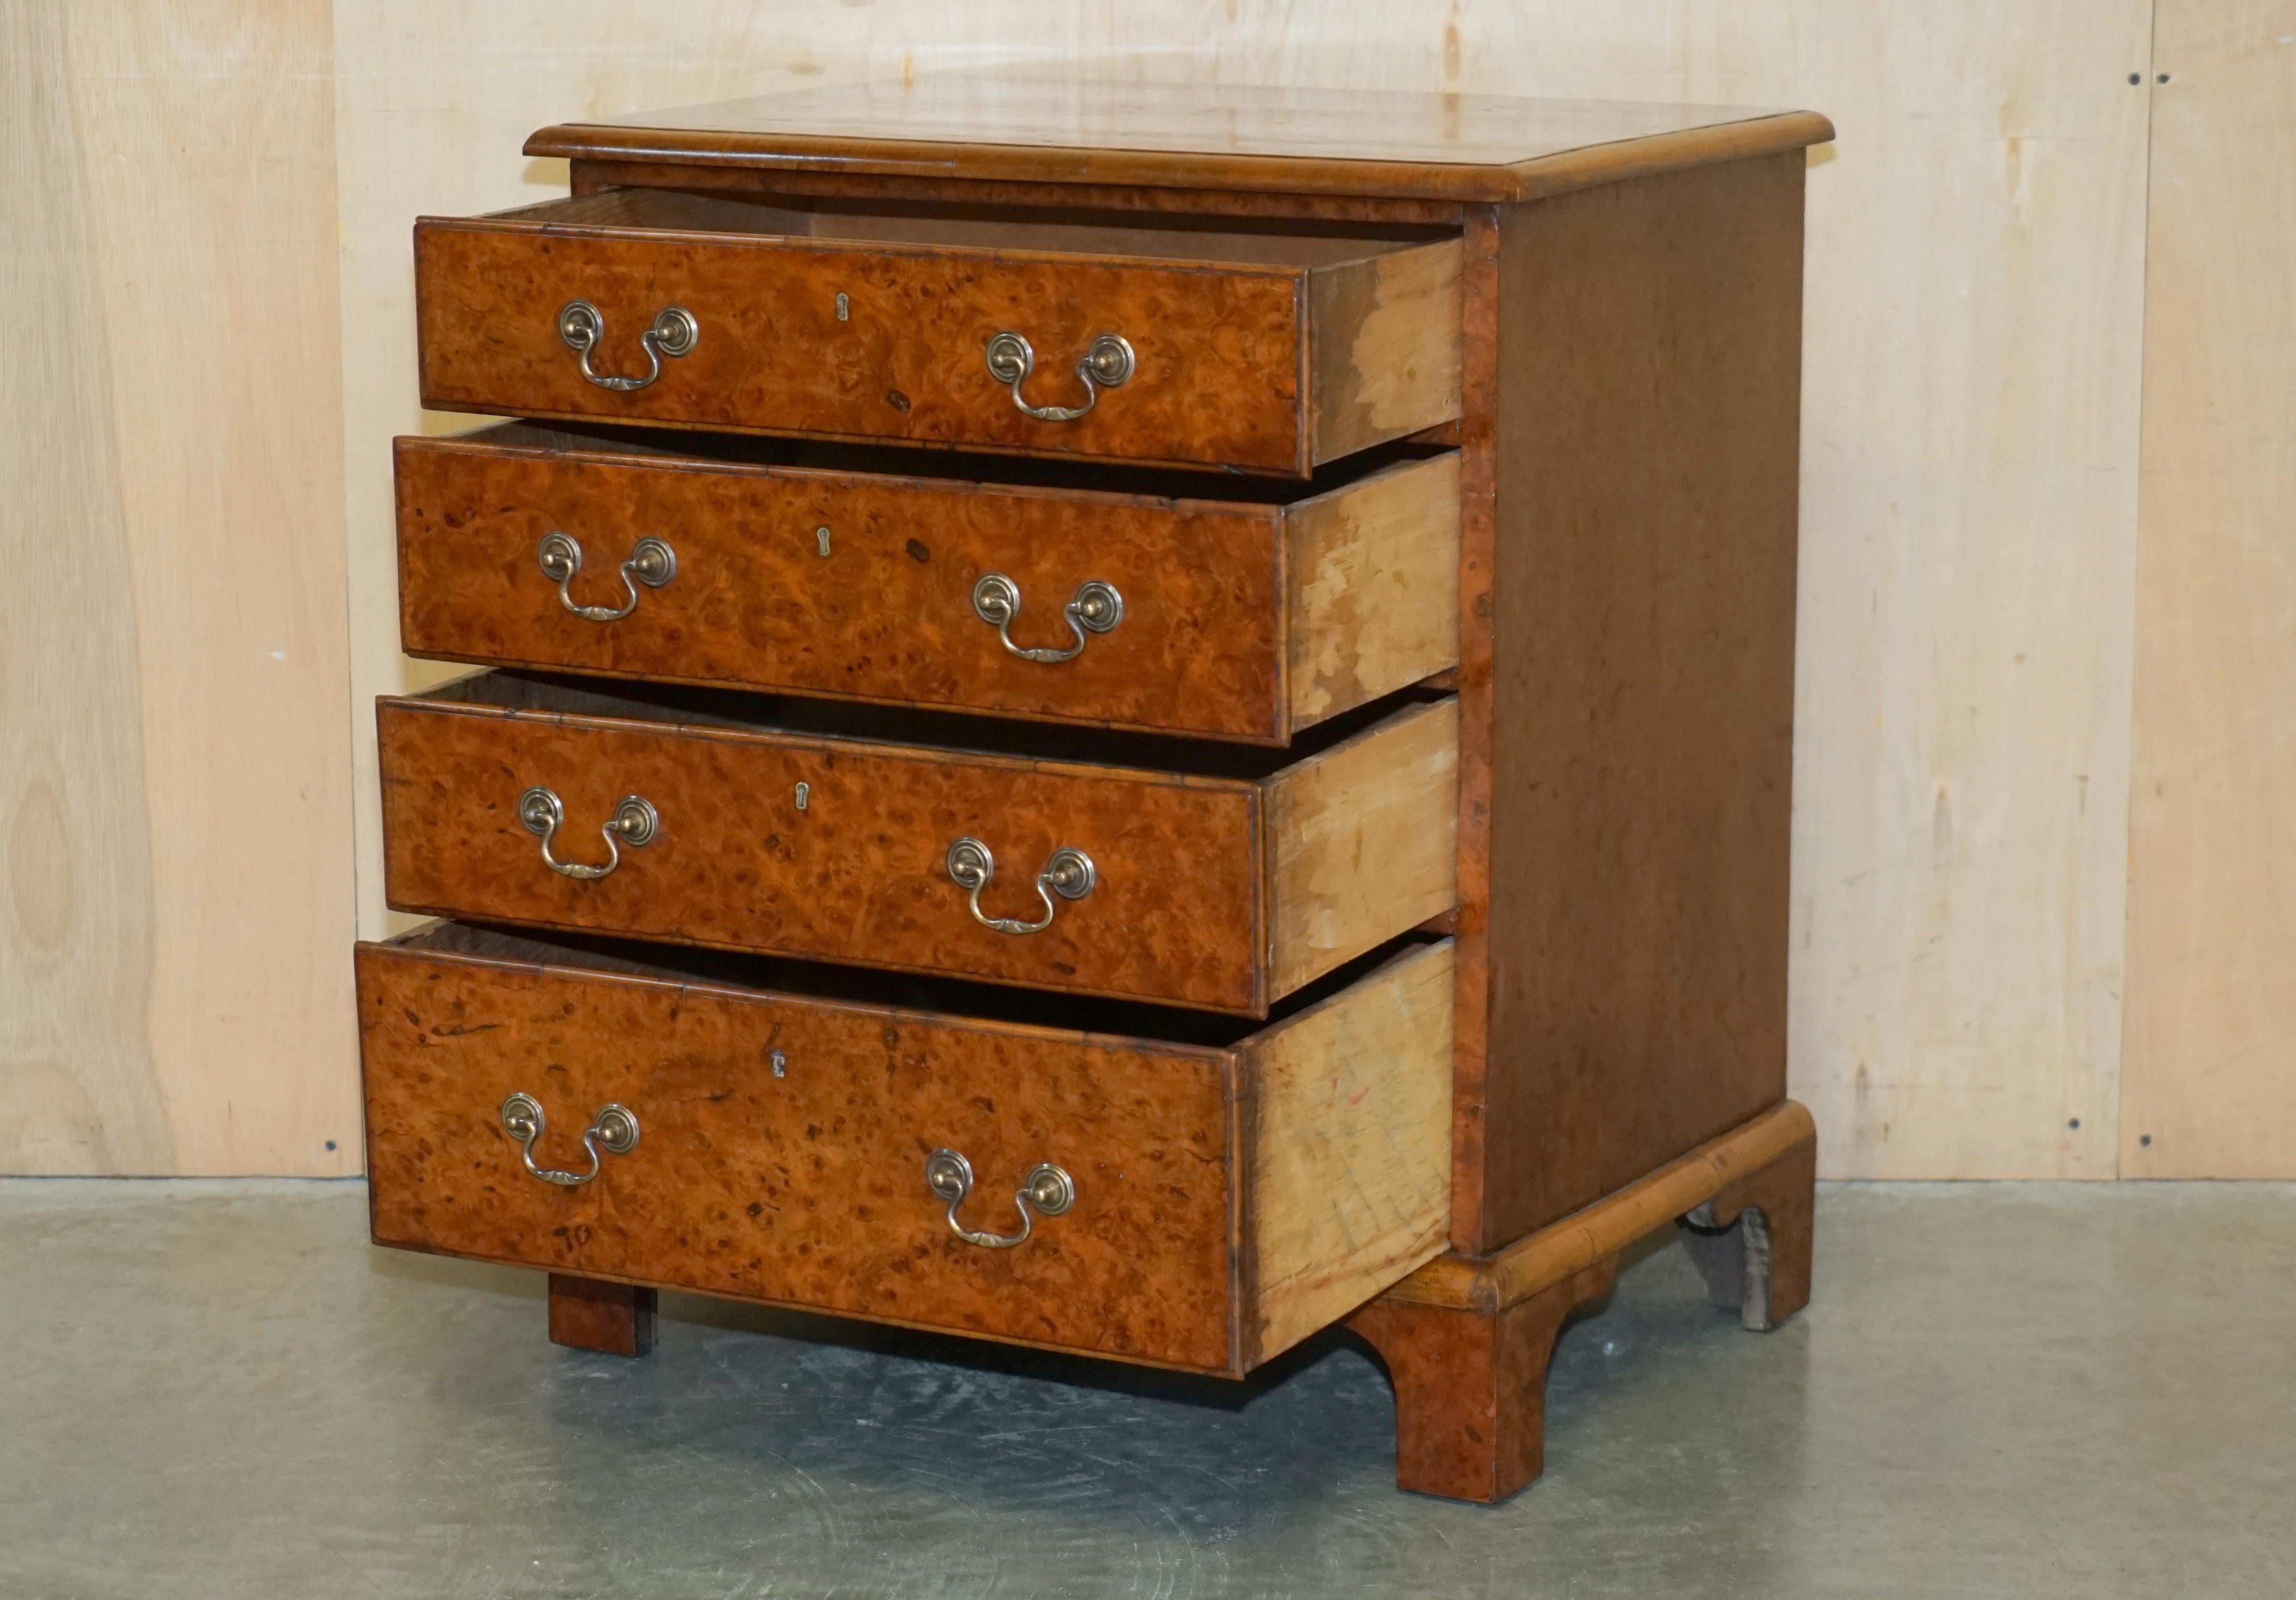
x=802, y=1188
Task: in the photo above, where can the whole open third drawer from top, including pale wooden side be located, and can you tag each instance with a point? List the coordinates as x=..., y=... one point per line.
x=534, y=802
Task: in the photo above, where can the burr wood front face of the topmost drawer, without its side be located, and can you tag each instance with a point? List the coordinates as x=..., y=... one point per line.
x=1218, y=355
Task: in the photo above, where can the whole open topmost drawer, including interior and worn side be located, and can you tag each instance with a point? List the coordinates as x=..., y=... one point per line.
x=1190, y=345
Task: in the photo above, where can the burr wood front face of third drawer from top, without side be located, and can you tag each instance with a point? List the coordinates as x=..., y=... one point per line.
x=858, y=876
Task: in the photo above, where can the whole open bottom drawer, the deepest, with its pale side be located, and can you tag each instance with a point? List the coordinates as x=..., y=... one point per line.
x=1186, y=1204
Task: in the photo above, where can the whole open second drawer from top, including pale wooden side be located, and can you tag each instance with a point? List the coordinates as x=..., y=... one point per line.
x=1241, y=619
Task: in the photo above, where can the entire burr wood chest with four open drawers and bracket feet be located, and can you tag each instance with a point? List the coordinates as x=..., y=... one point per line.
x=1131, y=724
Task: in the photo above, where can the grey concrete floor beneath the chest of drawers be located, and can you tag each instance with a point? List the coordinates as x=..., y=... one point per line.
x=2047, y=1390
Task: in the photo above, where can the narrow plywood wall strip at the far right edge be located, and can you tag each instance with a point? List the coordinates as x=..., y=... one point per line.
x=2212, y=903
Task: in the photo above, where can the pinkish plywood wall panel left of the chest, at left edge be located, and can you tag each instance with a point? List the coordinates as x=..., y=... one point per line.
x=173, y=708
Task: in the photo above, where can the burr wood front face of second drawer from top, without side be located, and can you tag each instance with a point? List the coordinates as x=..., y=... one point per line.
x=846, y=584
